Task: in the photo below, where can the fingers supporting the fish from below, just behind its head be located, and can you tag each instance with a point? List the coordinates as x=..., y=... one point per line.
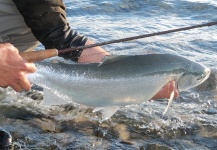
x=166, y=91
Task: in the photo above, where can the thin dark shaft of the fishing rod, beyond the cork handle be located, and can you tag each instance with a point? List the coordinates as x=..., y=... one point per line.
x=136, y=37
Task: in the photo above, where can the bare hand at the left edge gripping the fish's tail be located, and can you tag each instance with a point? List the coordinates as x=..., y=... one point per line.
x=13, y=68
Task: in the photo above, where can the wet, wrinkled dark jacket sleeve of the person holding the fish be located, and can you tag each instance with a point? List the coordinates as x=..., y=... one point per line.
x=47, y=20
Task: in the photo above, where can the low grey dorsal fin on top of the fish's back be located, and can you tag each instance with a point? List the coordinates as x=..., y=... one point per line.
x=111, y=58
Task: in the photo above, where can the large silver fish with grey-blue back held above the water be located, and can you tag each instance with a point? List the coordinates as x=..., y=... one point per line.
x=118, y=80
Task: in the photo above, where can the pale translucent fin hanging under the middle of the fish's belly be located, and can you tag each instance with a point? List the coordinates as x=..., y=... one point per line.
x=107, y=112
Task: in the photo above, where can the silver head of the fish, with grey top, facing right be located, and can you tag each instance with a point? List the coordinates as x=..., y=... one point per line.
x=194, y=75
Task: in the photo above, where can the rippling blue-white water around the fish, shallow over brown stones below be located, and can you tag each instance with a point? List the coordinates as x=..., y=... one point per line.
x=191, y=122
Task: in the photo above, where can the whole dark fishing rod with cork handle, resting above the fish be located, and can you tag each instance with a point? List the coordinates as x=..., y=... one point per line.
x=48, y=53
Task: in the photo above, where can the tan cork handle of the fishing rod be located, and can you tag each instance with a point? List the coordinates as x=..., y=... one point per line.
x=39, y=55
